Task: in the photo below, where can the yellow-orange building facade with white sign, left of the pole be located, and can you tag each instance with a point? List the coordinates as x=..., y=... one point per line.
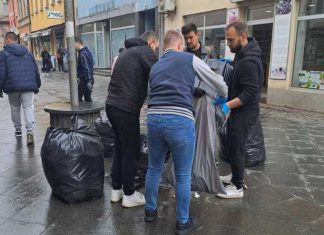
x=46, y=26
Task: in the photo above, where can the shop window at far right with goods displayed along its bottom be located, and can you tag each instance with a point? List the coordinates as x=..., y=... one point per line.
x=309, y=54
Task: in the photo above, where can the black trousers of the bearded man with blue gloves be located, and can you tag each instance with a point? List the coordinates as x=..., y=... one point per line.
x=239, y=126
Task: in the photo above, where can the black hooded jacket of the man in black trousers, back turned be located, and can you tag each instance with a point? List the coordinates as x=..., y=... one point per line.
x=129, y=81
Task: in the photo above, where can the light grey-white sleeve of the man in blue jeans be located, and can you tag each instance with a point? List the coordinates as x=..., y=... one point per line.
x=205, y=74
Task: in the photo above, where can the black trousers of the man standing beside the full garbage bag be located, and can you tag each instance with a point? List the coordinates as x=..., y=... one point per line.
x=127, y=143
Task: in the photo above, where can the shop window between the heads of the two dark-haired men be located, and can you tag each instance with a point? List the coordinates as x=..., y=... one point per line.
x=211, y=28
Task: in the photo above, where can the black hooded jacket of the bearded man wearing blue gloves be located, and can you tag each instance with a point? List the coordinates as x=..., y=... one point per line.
x=247, y=80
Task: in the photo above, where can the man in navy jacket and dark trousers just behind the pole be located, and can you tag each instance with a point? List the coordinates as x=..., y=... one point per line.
x=84, y=71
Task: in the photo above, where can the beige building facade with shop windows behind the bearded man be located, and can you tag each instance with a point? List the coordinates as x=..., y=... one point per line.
x=290, y=34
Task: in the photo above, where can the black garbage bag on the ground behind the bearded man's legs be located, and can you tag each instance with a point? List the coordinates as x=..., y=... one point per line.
x=255, y=153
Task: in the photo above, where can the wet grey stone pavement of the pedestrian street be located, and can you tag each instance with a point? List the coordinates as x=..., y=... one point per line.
x=285, y=196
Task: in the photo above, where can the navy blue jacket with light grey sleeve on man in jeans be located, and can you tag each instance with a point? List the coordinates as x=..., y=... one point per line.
x=172, y=80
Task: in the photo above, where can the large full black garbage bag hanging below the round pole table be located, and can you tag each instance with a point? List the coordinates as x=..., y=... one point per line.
x=73, y=162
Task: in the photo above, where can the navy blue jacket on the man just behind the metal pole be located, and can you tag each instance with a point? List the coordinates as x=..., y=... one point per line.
x=85, y=64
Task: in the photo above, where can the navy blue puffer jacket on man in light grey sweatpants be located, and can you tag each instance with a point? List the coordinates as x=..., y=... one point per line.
x=18, y=70
